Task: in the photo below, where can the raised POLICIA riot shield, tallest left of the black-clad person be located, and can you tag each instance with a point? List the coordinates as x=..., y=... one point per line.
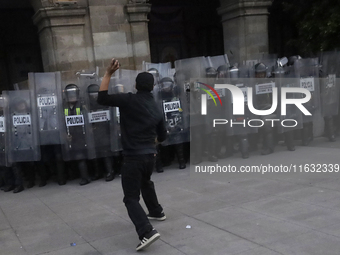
x=46, y=88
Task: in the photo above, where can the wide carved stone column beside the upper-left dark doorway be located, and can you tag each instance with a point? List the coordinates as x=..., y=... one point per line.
x=62, y=38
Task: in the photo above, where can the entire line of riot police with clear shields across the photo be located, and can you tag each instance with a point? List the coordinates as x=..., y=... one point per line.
x=56, y=126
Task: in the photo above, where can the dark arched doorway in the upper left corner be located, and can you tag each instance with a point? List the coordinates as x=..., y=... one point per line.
x=19, y=44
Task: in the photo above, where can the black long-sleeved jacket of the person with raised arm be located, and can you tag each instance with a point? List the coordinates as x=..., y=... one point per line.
x=140, y=120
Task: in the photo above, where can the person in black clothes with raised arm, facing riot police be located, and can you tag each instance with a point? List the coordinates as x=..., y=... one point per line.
x=142, y=126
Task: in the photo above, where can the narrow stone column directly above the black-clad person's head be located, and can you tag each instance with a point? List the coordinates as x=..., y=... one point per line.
x=137, y=13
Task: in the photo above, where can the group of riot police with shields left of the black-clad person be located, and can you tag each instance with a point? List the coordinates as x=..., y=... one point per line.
x=57, y=127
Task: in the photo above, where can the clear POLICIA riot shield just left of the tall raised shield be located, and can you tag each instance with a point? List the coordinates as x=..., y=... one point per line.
x=22, y=141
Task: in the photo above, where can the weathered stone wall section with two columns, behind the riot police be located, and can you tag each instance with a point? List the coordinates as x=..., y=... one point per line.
x=90, y=33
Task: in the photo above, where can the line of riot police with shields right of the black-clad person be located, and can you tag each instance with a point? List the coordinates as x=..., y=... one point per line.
x=192, y=85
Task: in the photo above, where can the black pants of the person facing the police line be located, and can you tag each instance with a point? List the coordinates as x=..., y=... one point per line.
x=136, y=179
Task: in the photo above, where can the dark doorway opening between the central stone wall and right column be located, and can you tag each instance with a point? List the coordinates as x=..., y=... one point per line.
x=183, y=29
